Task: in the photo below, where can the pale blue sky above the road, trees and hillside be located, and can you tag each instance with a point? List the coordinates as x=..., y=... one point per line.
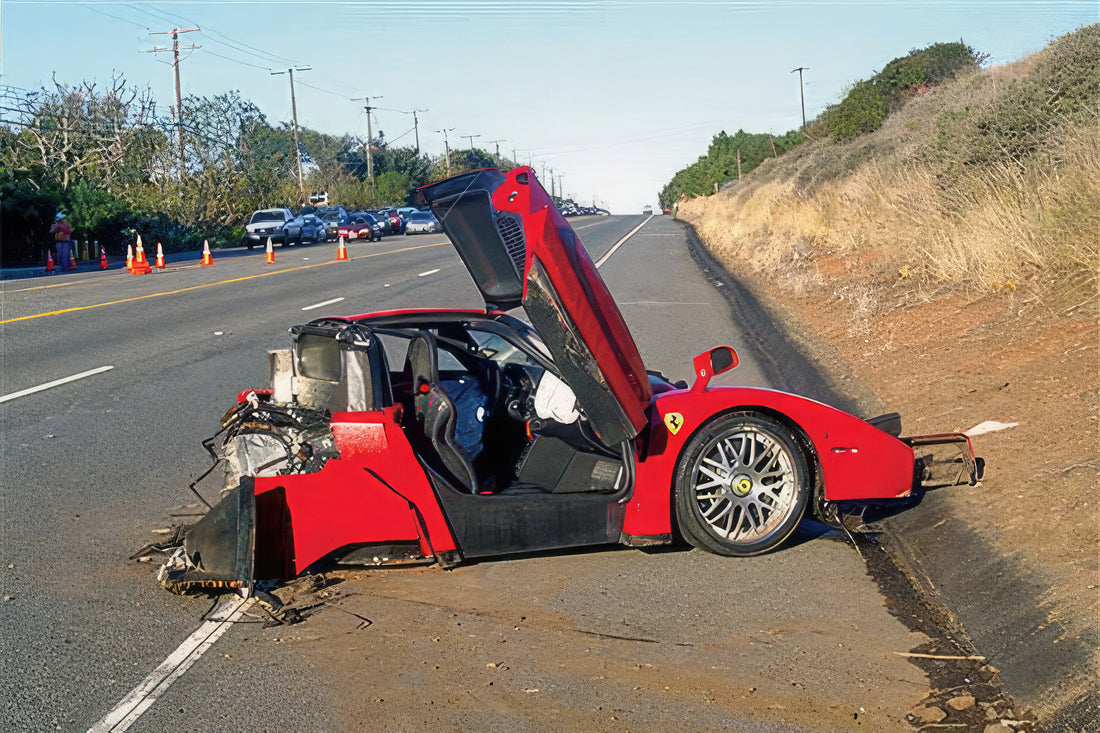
x=614, y=95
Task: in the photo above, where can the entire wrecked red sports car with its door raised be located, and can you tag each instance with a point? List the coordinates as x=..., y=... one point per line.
x=438, y=436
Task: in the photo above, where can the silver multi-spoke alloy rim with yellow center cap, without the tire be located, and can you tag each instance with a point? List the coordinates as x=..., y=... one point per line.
x=744, y=485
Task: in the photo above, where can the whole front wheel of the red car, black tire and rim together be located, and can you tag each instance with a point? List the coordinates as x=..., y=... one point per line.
x=742, y=486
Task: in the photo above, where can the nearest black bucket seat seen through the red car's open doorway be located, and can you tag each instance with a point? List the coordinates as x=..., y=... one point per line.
x=435, y=414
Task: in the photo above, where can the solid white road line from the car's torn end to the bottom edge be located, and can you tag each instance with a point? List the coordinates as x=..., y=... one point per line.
x=144, y=696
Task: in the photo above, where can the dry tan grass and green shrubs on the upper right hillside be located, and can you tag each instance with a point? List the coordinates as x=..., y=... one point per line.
x=974, y=179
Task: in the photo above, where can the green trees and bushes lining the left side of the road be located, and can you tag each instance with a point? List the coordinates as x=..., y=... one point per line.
x=116, y=165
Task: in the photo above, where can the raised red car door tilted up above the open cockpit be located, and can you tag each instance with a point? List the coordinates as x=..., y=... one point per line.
x=522, y=253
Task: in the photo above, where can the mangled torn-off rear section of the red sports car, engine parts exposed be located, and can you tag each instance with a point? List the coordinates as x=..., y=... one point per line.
x=310, y=468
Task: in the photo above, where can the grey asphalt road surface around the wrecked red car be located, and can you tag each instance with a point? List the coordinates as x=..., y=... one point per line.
x=796, y=640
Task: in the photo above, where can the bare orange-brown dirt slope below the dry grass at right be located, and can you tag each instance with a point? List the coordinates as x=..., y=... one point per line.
x=1015, y=557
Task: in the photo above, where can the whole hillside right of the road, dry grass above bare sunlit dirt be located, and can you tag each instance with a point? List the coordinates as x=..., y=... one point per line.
x=950, y=262
